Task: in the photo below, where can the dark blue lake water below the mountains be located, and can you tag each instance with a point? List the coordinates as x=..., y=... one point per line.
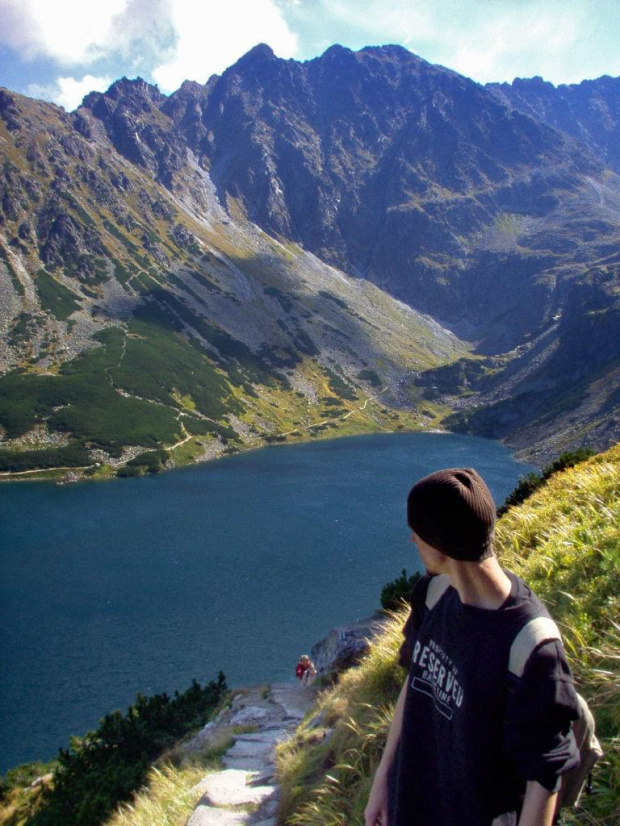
x=111, y=588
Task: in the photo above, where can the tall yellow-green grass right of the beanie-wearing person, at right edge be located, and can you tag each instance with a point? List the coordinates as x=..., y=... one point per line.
x=565, y=542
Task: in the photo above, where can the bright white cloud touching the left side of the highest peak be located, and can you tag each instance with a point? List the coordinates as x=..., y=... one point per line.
x=210, y=36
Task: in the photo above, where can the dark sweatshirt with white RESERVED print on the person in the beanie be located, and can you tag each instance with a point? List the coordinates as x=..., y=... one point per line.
x=472, y=734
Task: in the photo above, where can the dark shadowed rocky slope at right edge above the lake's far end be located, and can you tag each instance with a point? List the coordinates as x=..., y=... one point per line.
x=560, y=392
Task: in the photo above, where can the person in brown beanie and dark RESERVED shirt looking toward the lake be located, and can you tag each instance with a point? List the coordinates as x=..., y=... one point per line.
x=468, y=745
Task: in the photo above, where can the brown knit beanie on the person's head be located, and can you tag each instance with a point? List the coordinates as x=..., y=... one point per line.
x=453, y=511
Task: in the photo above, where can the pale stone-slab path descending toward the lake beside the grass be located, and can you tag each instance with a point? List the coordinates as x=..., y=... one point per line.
x=246, y=792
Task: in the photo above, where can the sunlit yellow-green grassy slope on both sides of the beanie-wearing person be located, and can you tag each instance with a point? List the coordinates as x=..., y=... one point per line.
x=565, y=541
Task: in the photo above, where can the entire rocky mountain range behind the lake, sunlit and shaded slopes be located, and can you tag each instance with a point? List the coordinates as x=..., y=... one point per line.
x=360, y=241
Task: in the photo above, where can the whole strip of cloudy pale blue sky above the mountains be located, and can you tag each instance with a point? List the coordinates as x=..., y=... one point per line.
x=59, y=50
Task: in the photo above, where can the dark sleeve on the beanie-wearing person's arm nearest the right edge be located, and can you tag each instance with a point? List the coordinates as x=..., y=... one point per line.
x=541, y=706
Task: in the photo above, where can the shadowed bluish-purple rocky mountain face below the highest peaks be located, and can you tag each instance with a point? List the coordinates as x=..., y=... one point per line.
x=402, y=172
